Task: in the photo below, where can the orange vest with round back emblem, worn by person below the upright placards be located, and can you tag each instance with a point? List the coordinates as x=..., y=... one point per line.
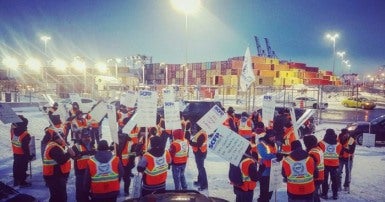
x=156, y=169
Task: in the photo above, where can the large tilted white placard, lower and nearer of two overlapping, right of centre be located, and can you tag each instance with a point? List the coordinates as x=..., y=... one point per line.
x=228, y=145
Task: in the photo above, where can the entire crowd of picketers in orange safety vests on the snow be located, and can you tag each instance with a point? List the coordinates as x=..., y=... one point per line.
x=99, y=167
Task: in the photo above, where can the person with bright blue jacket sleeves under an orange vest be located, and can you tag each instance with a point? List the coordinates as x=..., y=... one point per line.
x=267, y=151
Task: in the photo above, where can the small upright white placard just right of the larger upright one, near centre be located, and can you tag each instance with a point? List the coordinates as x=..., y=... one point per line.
x=171, y=116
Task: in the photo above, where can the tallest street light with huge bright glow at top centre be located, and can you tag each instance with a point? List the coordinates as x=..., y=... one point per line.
x=187, y=7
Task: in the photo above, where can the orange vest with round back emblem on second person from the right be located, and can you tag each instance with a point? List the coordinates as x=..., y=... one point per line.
x=331, y=153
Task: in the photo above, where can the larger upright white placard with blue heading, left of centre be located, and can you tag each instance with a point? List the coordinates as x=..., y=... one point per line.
x=147, y=108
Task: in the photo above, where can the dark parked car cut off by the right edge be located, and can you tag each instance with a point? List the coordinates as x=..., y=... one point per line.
x=375, y=126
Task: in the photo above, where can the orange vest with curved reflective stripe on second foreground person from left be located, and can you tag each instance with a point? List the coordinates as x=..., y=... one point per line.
x=49, y=163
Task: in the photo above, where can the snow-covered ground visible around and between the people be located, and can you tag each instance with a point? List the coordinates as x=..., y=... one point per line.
x=368, y=176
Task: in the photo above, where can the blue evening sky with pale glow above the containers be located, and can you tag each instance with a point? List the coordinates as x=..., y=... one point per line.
x=101, y=29
